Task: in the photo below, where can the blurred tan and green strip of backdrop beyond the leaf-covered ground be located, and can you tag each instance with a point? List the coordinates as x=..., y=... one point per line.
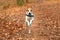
x=4, y=4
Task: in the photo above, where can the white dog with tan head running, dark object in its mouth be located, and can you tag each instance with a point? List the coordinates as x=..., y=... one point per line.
x=29, y=18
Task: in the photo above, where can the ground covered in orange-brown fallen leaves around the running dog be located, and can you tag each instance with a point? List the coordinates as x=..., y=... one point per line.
x=46, y=25
